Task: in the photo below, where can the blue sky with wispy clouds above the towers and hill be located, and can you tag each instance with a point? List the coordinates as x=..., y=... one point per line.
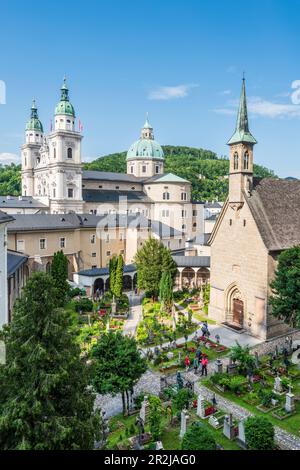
x=180, y=60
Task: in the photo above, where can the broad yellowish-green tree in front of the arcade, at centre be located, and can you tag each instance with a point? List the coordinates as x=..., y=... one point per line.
x=151, y=261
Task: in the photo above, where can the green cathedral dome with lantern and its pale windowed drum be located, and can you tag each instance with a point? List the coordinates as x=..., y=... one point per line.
x=145, y=158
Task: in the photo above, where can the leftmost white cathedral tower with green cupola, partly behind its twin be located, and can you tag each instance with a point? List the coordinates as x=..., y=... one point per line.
x=30, y=151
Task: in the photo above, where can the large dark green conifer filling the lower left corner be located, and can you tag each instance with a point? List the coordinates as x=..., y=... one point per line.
x=45, y=401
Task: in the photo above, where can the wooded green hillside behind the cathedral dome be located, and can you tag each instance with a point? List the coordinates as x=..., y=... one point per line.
x=206, y=171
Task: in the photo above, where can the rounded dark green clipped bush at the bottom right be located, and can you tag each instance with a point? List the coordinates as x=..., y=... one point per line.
x=259, y=433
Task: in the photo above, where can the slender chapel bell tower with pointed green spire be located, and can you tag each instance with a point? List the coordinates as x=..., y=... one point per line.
x=241, y=154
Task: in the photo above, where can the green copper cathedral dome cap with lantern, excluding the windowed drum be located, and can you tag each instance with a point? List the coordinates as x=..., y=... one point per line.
x=146, y=146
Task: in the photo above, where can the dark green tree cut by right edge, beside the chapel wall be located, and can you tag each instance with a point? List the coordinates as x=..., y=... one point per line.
x=285, y=301
